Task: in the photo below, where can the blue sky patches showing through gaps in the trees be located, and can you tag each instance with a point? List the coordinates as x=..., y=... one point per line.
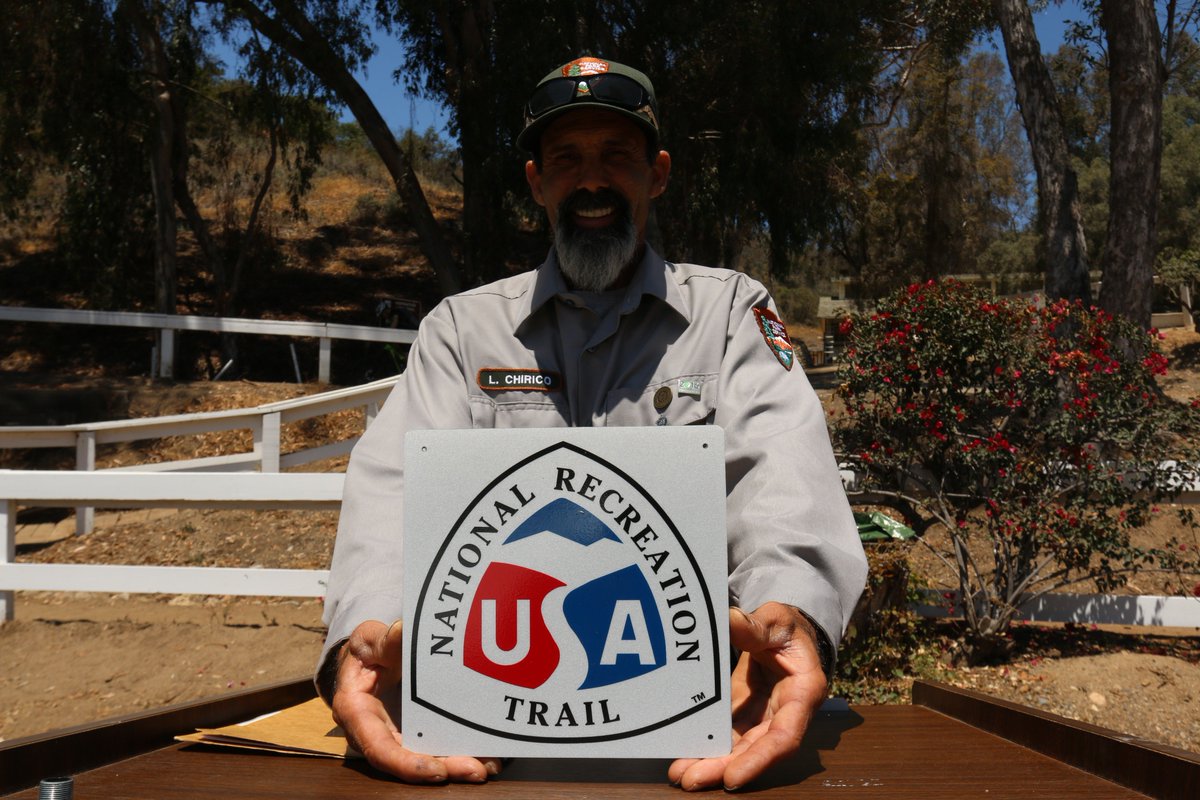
x=401, y=111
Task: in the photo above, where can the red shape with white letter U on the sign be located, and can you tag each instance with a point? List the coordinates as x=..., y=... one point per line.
x=507, y=637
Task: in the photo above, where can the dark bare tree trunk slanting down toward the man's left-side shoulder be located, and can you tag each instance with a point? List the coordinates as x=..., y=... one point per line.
x=302, y=40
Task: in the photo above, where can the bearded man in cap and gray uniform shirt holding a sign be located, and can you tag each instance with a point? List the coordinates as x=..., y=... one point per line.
x=613, y=336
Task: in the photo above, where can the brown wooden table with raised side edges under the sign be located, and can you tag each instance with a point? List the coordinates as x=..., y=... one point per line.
x=951, y=744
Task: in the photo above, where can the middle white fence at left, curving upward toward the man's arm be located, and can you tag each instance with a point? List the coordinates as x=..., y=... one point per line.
x=266, y=424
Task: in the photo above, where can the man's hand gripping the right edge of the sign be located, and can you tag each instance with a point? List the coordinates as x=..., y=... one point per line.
x=776, y=689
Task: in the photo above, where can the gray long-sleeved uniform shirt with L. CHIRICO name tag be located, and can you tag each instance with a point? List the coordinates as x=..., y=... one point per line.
x=686, y=328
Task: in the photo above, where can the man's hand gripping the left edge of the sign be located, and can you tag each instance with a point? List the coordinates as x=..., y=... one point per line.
x=369, y=677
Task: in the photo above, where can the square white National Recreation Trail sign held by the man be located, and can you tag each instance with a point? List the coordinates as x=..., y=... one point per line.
x=563, y=605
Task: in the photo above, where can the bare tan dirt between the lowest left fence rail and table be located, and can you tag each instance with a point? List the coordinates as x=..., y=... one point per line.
x=71, y=659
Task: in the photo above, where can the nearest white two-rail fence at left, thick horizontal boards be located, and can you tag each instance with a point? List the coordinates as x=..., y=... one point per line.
x=321, y=491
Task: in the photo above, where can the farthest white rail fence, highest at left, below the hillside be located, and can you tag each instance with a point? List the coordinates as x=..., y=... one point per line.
x=167, y=324
